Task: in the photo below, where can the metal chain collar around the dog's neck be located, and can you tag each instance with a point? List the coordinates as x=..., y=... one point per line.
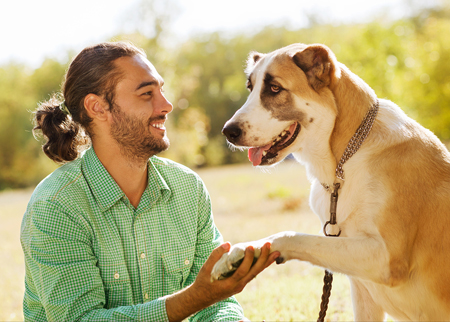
x=357, y=139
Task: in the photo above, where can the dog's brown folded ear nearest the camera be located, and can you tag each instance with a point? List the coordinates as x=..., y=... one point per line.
x=318, y=63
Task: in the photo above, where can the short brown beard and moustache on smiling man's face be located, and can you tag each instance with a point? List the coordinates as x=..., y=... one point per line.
x=133, y=135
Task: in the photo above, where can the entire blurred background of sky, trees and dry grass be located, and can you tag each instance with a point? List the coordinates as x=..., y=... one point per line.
x=401, y=48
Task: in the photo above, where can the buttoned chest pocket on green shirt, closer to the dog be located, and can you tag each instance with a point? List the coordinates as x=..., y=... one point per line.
x=176, y=269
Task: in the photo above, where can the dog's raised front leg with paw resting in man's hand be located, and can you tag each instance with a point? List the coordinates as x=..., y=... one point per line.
x=364, y=257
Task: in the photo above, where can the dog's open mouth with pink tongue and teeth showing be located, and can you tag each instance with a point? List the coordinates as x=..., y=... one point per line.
x=264, y=155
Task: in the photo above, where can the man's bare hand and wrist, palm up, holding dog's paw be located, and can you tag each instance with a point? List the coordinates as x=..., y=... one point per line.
x=204, y=292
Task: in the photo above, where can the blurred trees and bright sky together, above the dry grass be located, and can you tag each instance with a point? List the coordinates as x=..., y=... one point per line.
x=400, y=48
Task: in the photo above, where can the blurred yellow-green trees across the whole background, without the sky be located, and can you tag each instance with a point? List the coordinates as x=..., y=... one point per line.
x=405, y=61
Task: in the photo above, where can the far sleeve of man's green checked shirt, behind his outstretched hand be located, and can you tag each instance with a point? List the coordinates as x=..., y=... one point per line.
x=209, y=238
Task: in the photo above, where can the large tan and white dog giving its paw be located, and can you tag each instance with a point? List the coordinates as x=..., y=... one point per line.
x=393, y=188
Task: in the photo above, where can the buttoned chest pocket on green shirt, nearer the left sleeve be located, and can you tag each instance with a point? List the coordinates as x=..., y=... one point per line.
x=117, y=284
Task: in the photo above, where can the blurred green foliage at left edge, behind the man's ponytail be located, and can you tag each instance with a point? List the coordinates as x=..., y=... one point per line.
x=21, y=162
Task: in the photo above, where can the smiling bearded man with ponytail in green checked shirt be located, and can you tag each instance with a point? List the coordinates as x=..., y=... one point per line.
x=118, y=233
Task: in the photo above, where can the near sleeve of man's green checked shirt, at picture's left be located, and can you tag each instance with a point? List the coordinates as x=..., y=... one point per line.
x=63, y=282
